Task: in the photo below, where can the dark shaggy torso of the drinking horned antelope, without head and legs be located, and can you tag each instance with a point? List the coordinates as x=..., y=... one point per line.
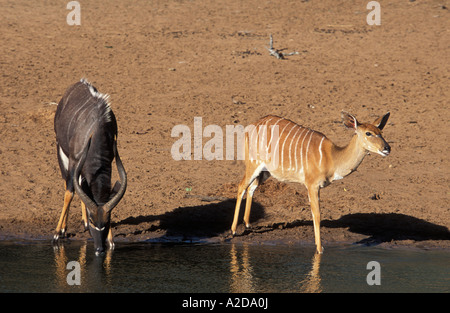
x=82, y=114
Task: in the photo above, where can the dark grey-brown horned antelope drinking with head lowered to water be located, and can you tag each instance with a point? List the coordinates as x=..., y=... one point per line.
x=86, y=136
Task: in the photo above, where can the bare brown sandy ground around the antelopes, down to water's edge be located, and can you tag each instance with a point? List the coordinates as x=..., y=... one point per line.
x=166, y=62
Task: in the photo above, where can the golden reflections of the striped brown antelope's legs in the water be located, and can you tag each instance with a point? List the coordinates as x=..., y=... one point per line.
x=243, y=278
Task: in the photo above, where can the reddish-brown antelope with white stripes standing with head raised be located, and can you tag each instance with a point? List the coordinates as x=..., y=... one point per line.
x=305, y=156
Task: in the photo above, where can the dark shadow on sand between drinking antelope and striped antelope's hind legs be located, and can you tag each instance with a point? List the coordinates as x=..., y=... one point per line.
x=201, y=221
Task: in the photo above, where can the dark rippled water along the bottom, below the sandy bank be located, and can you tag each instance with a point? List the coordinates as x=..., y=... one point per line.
x=224, y=268
